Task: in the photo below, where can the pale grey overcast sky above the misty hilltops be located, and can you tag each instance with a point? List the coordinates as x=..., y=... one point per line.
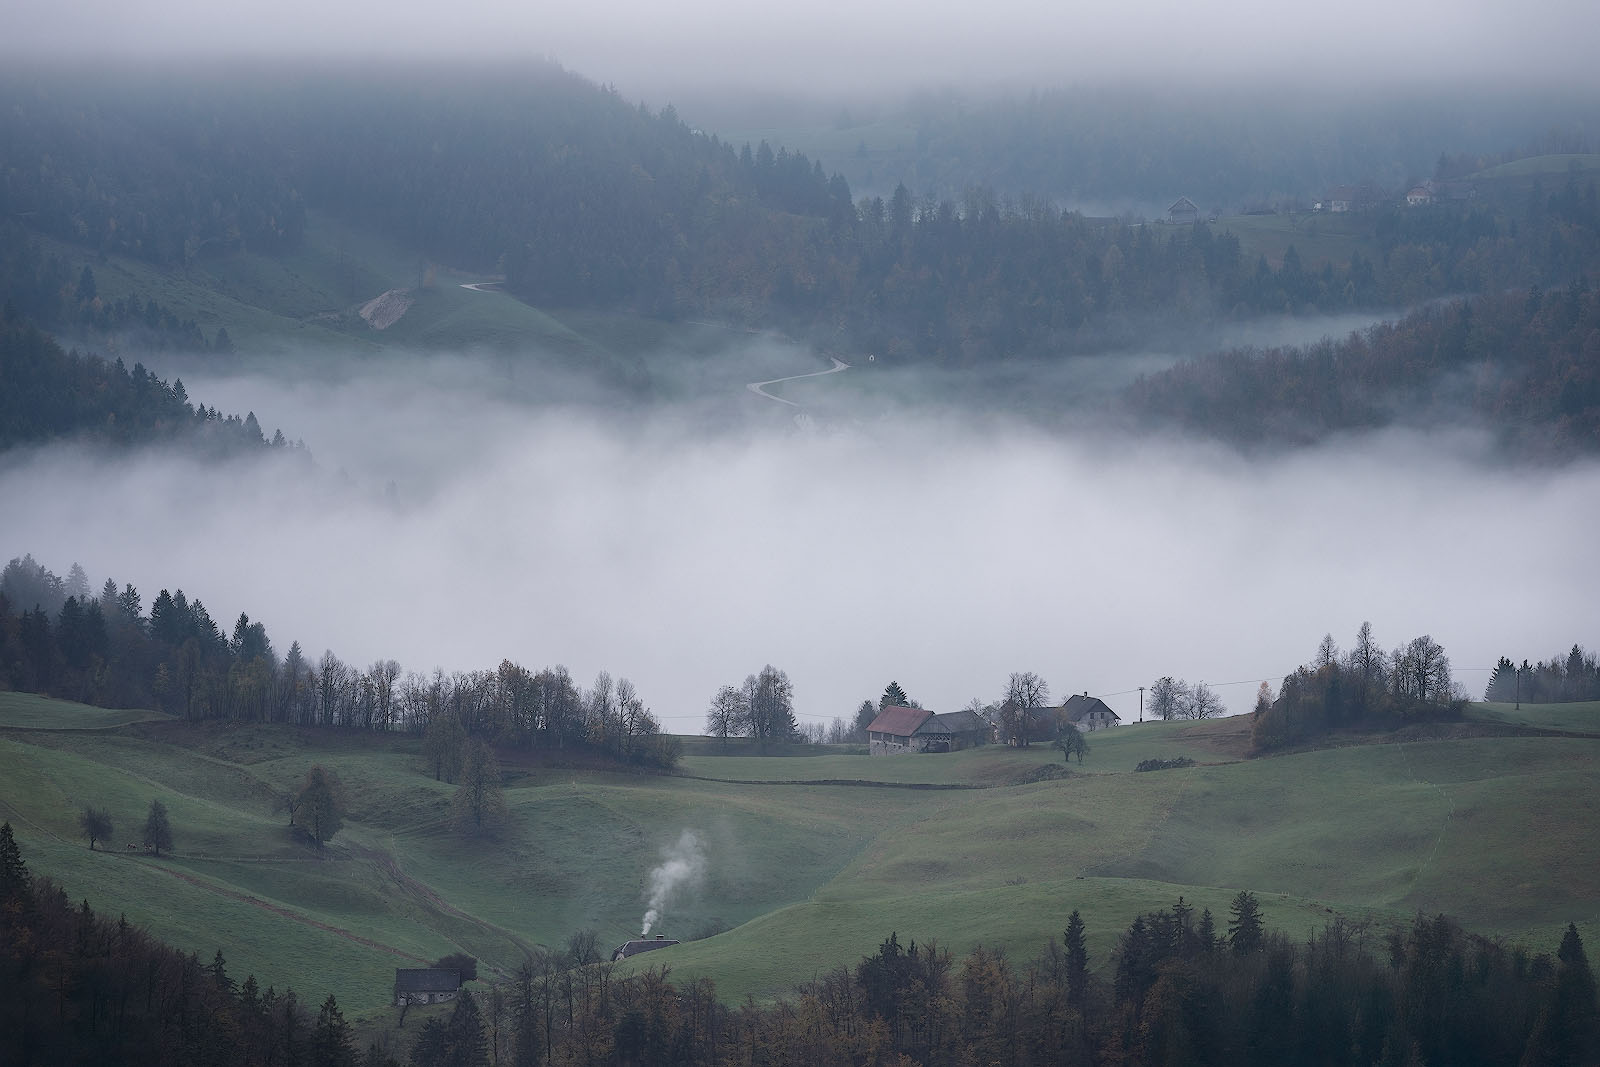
x=838, y=46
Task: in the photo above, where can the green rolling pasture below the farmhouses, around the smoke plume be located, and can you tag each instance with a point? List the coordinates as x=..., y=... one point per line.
x=810, y=861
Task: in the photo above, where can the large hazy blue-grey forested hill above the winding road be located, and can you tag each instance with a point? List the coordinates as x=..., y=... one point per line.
x=585, y=199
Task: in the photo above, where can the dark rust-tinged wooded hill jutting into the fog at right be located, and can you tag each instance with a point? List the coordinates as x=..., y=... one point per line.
x=1526, y=366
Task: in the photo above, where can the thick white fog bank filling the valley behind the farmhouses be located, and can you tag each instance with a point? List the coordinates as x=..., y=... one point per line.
x=938, y=551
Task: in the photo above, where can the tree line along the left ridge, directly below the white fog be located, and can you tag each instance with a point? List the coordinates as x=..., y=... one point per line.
x=106, y=652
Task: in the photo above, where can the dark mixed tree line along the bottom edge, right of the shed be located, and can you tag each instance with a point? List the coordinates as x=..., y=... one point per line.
x=1182, y=988
